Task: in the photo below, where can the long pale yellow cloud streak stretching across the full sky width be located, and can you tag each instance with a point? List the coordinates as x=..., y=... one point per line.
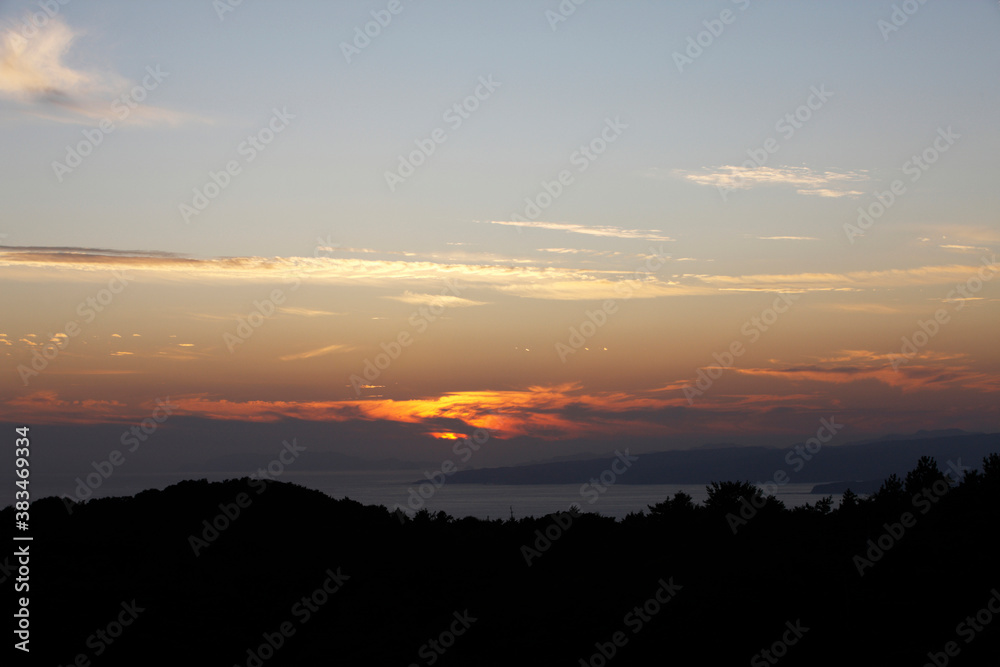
x=422, y=280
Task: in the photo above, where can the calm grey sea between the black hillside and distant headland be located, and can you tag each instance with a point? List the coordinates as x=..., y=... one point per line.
x=394, y=488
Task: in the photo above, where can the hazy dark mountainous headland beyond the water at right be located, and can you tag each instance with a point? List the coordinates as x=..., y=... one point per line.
x=858, y=461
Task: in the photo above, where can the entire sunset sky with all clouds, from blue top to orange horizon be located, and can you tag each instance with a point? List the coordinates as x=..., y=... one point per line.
x=573, y=227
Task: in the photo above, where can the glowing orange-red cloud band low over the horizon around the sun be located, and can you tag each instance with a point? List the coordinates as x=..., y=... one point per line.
x=749, y=398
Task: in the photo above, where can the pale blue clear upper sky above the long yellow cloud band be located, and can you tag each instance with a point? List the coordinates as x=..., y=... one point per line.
x=326, y=174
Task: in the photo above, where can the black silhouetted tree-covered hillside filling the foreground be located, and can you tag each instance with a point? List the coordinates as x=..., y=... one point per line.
x=247, y=572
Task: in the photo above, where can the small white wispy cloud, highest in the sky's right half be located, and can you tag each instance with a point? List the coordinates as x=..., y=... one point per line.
x=805, y=180
